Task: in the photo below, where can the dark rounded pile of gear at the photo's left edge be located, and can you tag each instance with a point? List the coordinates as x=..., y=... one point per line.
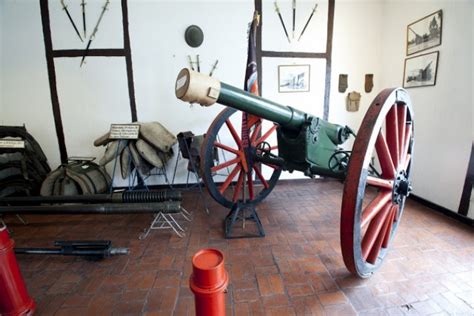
x=22, y=170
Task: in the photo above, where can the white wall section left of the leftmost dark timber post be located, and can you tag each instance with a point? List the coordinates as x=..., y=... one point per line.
x=25, y=95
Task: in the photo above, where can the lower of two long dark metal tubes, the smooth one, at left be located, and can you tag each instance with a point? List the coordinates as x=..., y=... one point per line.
x=69, y=209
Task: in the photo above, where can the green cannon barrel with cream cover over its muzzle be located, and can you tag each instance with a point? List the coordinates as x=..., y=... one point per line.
x=195, y=87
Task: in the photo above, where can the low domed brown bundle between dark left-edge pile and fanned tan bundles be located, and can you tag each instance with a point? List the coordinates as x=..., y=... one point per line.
x=77, y=177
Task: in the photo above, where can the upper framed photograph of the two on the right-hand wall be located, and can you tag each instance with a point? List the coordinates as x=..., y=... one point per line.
x=424, y=33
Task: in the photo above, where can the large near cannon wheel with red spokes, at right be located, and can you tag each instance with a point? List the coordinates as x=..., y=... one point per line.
x=378, y=181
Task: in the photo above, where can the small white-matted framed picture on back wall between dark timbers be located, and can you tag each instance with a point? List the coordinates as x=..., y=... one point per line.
x=293, y=78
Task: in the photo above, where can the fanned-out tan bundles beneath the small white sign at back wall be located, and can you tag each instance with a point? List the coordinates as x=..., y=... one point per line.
x=153, y=149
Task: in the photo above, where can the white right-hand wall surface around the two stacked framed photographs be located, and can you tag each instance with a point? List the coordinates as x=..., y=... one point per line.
x=443, y=113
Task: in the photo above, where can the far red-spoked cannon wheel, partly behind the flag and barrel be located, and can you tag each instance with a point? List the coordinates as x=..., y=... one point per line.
x=228, y=167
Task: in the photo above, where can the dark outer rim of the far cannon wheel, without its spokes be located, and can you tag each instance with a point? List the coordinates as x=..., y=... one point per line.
x=207, y=153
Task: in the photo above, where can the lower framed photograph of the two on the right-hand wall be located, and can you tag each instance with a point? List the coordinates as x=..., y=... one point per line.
x=420, y=71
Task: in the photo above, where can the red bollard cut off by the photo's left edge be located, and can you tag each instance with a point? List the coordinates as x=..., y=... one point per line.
x=14, y=298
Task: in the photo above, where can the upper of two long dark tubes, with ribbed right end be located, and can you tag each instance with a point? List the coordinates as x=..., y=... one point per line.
x=117, y=197
